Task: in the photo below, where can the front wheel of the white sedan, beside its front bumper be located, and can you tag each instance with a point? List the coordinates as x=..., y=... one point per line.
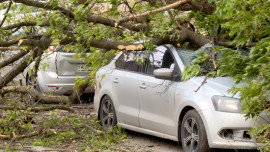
x=193, y=134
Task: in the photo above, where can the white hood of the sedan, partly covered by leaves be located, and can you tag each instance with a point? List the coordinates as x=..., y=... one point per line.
x=220, y=84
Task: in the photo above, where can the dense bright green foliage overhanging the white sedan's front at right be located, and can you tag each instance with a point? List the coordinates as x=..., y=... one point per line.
x=243, y=22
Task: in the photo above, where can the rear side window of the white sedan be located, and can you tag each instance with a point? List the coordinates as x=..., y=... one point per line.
x=132, y=61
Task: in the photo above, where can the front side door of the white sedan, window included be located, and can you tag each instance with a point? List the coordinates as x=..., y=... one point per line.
x=157, y=110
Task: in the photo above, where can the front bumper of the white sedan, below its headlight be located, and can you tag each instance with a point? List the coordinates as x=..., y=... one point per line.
x=216, y=122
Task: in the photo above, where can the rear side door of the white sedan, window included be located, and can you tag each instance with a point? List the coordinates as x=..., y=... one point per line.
x=125, y=81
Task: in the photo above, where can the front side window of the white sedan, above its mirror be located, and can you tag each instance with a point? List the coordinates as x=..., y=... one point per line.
x=159, y=58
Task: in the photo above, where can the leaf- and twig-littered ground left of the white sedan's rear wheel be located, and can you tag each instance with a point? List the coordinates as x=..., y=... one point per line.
x=55, y=127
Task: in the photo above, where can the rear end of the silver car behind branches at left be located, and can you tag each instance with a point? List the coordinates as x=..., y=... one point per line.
x=60, y=73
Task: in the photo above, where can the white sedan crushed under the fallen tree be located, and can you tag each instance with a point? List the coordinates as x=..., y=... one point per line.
x=147, y=95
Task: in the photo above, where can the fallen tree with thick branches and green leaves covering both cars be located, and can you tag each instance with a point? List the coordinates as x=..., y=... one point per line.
x=79, y=25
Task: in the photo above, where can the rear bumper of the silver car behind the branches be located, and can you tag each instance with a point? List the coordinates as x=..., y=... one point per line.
x=50, y=82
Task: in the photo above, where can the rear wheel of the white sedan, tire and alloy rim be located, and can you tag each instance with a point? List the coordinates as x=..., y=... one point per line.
x=107, y=114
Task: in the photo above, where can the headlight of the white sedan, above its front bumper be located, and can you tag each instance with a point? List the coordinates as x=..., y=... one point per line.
x=226, y=104
